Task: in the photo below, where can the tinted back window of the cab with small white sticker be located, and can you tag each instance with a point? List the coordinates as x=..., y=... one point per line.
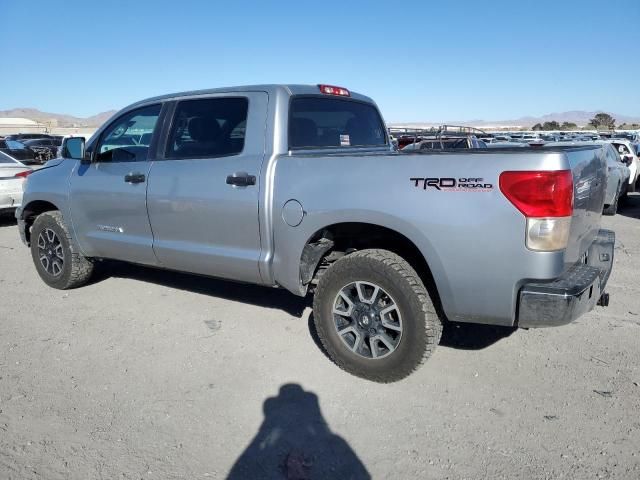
x=325, y=122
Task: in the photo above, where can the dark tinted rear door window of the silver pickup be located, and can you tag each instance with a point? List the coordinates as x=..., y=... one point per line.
x=208, y=127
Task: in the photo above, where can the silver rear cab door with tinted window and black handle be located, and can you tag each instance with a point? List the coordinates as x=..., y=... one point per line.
x=203, y=191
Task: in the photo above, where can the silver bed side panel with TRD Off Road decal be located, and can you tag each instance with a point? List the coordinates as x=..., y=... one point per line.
x=472, y=238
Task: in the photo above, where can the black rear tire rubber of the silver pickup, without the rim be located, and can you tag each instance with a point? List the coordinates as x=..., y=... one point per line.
x=421, y=327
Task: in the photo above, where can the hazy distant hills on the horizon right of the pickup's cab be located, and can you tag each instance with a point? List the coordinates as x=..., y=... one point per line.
x=579, y=117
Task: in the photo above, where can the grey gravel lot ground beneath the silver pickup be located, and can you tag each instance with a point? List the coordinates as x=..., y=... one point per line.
x=152, y=375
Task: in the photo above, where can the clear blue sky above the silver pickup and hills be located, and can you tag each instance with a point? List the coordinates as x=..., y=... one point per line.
x=419, y=60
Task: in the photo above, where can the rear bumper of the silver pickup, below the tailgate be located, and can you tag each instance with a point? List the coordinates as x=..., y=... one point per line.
x=577, y=291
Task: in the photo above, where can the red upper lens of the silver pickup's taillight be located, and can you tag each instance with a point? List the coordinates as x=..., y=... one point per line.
x=539, y=194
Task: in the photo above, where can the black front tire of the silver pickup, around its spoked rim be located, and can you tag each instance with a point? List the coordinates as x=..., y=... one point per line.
x=74, y=270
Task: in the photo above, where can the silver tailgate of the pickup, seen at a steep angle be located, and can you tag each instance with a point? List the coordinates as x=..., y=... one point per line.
x=589, y=169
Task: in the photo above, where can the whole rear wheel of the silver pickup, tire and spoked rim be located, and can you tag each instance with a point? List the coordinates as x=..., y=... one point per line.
x=375, y=317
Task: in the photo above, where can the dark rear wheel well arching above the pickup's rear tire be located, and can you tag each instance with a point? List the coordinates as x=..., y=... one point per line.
x=332, y=242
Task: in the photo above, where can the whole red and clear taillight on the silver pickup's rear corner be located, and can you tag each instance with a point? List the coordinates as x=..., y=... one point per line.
x=546, y=199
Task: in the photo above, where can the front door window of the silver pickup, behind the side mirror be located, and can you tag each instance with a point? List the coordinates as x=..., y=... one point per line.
x=128, y=138
